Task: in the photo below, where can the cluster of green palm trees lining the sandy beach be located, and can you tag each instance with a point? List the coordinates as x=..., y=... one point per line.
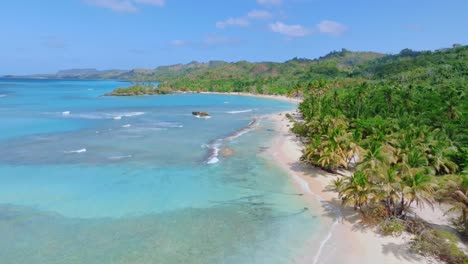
x=396, y=157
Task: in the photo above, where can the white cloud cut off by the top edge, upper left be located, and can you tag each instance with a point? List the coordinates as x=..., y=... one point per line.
x=124, y=6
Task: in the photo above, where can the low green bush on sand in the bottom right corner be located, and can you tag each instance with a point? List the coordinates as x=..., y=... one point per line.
x=438, y=243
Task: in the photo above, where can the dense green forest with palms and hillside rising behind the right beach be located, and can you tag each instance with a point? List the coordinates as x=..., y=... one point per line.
x=399, y=124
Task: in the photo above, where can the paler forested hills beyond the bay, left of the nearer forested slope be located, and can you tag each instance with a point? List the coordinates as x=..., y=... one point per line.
x=262, y=77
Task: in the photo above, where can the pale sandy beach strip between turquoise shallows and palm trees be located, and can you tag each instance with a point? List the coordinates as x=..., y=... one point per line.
x=347, y=241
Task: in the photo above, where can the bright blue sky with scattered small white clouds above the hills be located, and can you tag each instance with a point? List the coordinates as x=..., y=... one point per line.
x=45, y=36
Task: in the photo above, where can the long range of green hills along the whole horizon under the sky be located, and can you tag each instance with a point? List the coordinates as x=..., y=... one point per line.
x=275, y=77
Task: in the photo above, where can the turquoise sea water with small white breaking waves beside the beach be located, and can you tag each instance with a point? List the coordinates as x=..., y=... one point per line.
x=92, y=179
